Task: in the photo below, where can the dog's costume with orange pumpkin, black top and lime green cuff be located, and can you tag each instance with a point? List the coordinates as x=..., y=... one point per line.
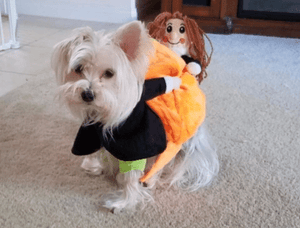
x=179, y=114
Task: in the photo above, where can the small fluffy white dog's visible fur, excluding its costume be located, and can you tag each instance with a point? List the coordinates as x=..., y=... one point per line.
x=101, y=80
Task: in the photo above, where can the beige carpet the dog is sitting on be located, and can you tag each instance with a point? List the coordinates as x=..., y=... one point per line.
x=254, y=123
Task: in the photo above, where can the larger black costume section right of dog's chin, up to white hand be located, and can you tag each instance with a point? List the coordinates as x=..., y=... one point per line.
x=142, y=135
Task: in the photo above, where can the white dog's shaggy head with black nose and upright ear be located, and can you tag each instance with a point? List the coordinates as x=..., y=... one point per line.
x=100, y=76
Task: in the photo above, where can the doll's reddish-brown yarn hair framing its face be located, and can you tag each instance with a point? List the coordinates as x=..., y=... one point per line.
x=195, y=37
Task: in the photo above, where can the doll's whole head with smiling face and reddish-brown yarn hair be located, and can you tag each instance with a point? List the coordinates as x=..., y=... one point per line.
x=182, y=35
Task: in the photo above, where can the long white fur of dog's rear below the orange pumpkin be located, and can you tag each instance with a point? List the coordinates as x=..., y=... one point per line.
x=199, y=163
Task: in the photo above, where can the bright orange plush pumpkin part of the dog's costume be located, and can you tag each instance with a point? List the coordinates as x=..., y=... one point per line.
x=181, y=111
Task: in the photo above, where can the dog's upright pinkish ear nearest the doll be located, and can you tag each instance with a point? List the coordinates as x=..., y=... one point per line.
x=130, y=37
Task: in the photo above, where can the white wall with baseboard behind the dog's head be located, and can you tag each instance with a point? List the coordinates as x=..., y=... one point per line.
x=116, y=11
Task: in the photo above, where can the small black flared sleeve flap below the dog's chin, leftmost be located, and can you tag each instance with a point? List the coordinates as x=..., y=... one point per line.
x=87, y=141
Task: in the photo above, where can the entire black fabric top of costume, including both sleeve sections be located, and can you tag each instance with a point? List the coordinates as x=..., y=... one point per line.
x=141, y=135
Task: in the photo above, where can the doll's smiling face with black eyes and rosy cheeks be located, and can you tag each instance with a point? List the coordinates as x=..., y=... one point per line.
x=175, y=36
